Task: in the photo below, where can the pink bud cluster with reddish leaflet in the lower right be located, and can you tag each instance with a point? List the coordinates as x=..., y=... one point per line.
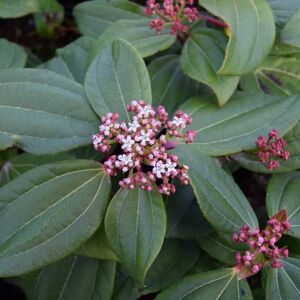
x=262, y=246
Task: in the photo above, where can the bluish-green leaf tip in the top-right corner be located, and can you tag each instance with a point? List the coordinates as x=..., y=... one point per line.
x=283, y=9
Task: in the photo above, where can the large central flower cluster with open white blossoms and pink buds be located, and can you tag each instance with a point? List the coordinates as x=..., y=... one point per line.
x=143, y=147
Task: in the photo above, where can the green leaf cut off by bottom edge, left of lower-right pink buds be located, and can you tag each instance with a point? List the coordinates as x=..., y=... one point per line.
x=219, y=284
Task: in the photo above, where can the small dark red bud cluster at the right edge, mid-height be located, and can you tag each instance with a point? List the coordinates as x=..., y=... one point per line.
x=270, y=149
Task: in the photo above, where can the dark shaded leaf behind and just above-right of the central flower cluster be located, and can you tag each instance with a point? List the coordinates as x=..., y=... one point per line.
x=170, y=87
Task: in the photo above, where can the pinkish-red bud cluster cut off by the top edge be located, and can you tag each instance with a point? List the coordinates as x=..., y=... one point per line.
x=171, y=12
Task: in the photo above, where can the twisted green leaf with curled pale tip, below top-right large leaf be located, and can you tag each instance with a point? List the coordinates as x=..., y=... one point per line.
x=202, y=56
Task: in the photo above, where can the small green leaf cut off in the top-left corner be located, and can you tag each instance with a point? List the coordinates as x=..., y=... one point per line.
x=18, y=8
